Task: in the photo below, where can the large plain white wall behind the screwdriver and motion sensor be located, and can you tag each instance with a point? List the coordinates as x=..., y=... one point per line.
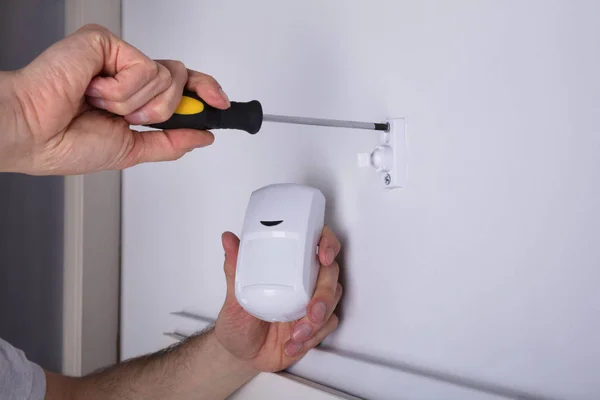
x=483, y=271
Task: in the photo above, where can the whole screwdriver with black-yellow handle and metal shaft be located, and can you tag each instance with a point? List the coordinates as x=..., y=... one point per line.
x=194, y=113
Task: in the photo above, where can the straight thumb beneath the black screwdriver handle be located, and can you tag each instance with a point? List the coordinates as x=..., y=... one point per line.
x=165, y=145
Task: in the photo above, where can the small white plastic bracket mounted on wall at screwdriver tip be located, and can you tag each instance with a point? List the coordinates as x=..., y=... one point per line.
x=389, y=158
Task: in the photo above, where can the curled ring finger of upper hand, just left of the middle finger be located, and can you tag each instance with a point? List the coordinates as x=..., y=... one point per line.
x=151, y=90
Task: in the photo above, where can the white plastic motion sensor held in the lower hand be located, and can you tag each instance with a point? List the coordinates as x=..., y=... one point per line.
x=277, y=264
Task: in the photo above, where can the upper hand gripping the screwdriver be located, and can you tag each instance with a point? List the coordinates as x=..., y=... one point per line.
x=74, y=108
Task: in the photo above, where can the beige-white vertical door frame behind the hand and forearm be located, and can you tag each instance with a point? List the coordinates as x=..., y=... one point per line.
x=92, y=239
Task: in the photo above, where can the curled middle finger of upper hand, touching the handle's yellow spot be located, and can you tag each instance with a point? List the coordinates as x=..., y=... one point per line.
x=162, y=107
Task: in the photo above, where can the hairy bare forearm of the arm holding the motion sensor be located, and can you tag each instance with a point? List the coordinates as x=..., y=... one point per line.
x=199, y=368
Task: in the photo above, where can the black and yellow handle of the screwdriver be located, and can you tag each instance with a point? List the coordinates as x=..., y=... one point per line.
x=194, y=113
